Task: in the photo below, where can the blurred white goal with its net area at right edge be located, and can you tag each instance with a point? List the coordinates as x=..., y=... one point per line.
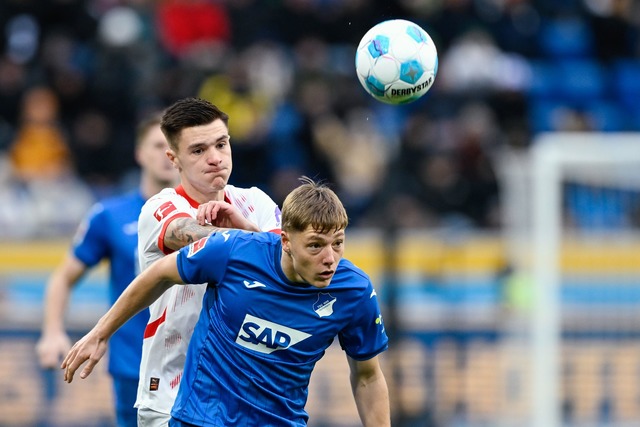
x=572, y=328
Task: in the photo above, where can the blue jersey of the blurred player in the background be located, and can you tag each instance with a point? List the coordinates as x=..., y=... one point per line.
x=110, y=231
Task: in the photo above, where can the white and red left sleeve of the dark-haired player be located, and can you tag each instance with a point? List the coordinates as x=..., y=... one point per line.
x=156, y=214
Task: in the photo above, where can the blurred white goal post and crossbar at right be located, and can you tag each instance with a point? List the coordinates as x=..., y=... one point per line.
x=534, y=230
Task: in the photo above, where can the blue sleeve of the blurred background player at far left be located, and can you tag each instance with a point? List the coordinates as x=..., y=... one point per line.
x=90, y=244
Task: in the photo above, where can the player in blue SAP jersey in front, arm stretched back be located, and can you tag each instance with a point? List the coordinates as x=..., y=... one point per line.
x=273, y=305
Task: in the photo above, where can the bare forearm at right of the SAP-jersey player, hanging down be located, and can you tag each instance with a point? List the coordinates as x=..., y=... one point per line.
x=370, y=392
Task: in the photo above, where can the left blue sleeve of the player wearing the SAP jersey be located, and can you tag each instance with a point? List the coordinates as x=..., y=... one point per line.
x=205, y=261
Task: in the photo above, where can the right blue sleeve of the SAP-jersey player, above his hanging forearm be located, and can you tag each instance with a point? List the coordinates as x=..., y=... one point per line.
x=365, y=336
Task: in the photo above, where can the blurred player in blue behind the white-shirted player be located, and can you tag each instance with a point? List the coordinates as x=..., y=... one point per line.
x=110, y=232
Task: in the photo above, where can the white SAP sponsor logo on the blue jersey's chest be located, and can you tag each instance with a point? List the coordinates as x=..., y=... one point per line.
x=266, y=337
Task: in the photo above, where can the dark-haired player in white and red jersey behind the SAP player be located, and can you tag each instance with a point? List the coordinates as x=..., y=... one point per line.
x=199, y=141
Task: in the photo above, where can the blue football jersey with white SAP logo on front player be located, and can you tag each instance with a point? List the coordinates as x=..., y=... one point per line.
x=259, y=335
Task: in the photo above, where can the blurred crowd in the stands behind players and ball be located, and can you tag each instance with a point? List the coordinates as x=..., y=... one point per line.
x=76, y=76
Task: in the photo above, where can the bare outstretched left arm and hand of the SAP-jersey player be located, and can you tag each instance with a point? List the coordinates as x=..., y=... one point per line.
x=144, y=290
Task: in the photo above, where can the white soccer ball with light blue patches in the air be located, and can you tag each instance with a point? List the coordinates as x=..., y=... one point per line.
x=396, y=61
